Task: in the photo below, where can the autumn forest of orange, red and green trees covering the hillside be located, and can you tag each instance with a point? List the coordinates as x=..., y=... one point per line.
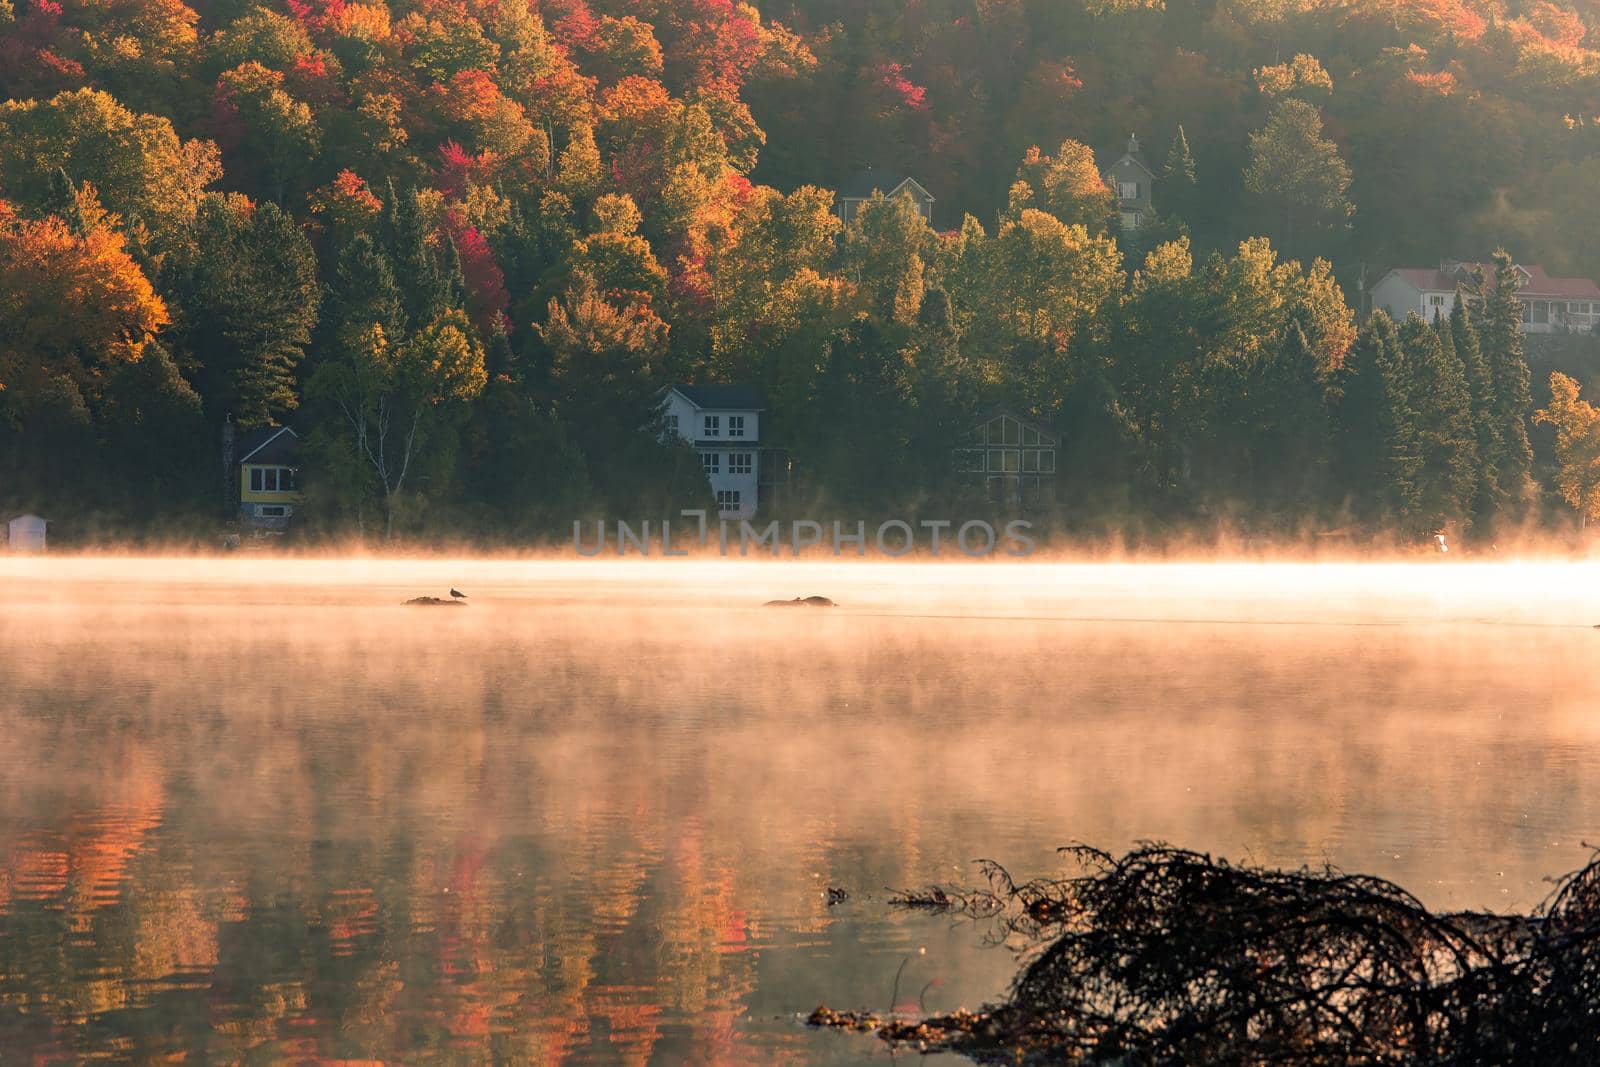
x=463, y=246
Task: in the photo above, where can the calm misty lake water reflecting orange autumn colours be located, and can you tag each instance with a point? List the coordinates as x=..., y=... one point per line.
x=255, y=810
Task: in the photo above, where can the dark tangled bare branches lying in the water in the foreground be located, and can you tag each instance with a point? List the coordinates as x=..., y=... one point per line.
x=1170, y=957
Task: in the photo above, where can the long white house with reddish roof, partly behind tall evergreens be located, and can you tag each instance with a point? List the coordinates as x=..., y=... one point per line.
x=1548, y=305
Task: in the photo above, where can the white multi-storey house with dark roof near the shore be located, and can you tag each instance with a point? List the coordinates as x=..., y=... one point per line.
x=724, y=425
